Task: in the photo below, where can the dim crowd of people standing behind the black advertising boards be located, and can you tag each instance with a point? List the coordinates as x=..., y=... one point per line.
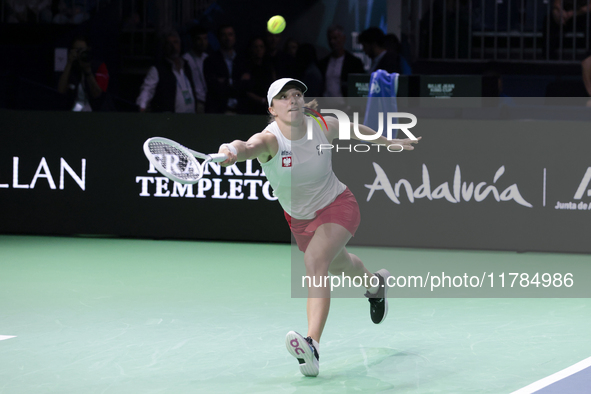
x=197, y=79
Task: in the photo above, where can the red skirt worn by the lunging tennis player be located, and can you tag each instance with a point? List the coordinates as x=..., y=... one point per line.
x=344, y=210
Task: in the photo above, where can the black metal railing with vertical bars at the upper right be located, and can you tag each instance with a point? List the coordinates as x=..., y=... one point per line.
x=503, y=30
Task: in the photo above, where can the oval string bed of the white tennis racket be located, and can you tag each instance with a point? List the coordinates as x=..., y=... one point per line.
x=175, y=161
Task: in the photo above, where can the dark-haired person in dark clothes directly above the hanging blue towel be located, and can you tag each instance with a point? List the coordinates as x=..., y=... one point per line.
x=373, y=41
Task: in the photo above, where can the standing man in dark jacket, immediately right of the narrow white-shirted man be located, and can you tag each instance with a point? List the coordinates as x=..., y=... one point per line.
x=223, y=70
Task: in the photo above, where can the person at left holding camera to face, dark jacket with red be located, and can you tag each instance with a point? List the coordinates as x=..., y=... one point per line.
x=84, y=80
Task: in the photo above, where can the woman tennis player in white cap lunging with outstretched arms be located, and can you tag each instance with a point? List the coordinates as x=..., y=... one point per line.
x=321, y=211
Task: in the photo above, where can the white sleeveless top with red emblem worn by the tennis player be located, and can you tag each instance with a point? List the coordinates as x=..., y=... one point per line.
x=301, y=175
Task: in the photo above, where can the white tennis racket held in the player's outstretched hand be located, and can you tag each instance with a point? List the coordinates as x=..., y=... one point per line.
x=177, y=162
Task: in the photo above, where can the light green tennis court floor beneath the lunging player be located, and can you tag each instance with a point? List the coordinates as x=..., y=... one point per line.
x=107, y=315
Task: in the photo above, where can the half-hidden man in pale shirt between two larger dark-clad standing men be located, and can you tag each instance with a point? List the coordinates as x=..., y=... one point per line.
x=195, y=57
